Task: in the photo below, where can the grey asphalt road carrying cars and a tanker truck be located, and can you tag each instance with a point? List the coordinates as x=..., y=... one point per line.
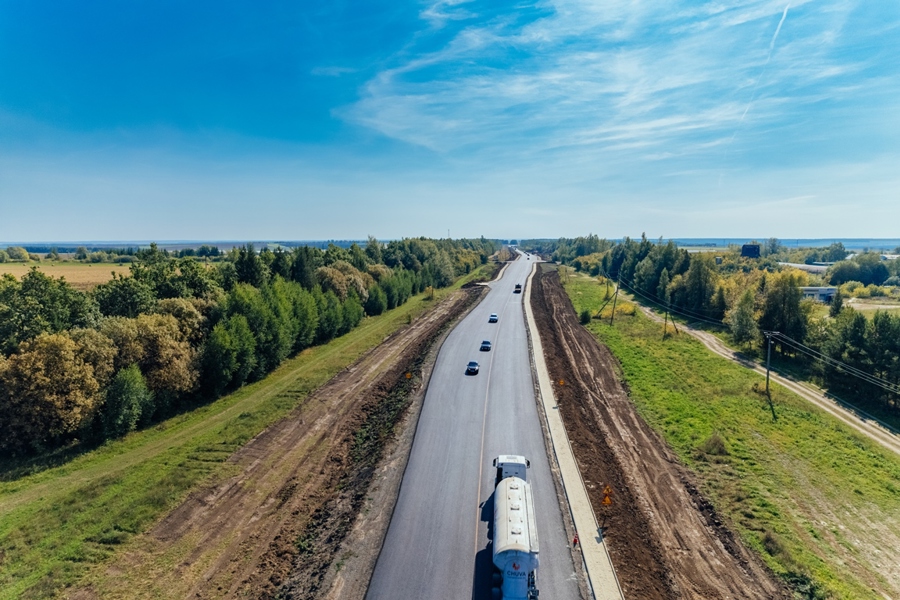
x=437, y=545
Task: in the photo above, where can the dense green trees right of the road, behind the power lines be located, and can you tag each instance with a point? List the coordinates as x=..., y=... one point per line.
x=854, y=356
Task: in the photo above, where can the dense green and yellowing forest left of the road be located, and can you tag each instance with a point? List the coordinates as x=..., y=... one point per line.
x=178, y=332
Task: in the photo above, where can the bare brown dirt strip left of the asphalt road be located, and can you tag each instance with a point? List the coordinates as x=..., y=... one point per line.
x=274, y=528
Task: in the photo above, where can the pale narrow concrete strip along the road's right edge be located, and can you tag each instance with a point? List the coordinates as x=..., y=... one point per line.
x=602, y=580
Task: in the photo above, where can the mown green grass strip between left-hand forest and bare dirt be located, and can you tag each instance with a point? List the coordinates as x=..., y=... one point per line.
x=58, y=522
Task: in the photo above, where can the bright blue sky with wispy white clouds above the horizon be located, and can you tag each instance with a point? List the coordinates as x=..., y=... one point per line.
x=337, y=119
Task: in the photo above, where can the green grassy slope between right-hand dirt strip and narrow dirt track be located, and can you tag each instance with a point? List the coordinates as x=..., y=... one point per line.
x=819, y=503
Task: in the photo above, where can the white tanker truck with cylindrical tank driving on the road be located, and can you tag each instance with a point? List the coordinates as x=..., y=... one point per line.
x=515, y=542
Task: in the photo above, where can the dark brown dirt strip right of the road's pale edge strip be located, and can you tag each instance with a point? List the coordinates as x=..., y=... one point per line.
x=665, y=538
